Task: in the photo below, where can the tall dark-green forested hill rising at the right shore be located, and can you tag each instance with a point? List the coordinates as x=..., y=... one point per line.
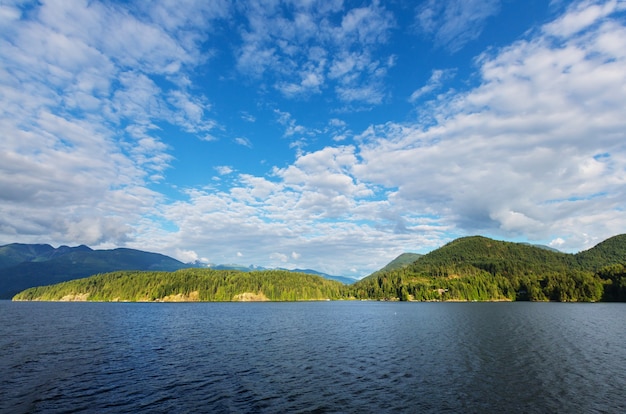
x=479, y=268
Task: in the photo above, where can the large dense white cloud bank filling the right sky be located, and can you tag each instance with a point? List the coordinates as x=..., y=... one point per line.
x=514, y=155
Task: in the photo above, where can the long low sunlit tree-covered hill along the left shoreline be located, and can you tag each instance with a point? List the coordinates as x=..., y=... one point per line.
x=191, y=285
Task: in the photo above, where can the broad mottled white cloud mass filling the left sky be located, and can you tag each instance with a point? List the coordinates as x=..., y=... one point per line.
x=81, y=113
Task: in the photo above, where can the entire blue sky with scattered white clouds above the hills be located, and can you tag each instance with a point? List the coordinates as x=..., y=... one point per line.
x=330, y=135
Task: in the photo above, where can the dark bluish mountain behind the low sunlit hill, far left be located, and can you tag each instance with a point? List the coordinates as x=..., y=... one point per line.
x=27, y=265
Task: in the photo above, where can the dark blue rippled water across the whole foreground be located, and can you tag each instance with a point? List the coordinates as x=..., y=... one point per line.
x=312, y=357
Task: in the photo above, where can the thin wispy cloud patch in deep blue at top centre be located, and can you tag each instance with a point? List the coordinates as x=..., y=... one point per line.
x=301, y=51
